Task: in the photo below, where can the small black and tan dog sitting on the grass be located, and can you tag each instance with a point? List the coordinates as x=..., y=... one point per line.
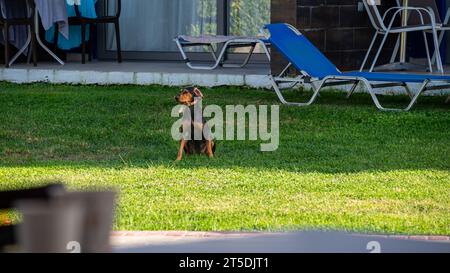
x=190, y=96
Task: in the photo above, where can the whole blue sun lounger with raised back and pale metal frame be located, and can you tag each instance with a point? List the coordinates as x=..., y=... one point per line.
x=318, y=71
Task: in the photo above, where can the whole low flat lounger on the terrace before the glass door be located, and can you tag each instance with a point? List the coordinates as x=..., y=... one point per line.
x=226, y=42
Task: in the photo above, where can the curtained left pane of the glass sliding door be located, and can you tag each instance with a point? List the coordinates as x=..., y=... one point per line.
x=151, y=25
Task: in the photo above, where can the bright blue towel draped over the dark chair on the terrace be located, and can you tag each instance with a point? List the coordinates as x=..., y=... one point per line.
x=87, y=9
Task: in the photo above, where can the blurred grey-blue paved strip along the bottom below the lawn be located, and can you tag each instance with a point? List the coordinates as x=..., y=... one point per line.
x=262, y=242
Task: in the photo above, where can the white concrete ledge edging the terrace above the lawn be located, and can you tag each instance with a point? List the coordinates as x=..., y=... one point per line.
x=55, y=75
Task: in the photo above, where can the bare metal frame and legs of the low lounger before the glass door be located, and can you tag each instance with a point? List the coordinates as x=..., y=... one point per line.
x=219, y=58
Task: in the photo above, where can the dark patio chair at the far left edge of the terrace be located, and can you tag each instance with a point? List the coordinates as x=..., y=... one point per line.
x=27, y=20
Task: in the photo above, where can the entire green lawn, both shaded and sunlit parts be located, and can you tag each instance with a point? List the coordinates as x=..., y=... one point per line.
x=341, y=163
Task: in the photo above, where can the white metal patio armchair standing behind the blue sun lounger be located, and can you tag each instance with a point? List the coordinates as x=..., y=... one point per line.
x=426, y=22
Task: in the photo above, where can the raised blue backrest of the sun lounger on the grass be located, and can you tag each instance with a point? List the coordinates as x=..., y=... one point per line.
x=298, y=50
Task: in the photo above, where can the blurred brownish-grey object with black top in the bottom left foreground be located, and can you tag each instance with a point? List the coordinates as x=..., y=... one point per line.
x=57, y=221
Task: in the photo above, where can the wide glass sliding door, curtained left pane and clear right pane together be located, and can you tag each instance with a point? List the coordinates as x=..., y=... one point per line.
x=149, y=26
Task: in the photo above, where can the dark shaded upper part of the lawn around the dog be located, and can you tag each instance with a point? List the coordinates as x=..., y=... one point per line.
x=129, y=126
